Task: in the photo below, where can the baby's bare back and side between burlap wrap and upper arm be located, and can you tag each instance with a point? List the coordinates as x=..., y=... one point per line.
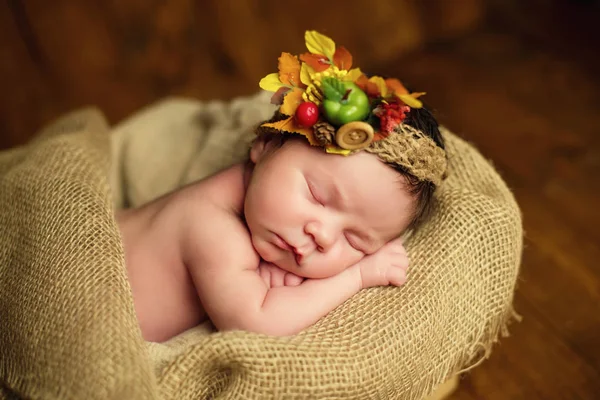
x=165, y=299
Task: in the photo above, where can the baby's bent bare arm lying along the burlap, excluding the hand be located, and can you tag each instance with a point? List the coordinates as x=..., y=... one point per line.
x=237, y=298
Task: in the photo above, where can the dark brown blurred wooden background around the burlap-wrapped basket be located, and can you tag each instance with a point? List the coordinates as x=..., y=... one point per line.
x=518, y=79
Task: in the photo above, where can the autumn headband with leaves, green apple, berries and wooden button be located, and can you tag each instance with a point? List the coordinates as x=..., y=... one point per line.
x=341, y=110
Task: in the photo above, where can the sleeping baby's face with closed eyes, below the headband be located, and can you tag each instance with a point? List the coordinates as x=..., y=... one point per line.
x=315, y=214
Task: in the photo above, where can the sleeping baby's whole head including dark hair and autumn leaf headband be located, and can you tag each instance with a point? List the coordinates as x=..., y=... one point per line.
x=346, y=165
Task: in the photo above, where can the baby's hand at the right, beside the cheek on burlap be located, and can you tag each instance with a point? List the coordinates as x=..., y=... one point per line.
x=385, y=267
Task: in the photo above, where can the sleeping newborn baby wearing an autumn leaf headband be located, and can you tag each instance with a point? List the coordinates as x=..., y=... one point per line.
x=314, y=216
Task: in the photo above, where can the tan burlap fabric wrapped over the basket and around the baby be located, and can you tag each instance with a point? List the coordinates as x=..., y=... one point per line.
x=67, y=323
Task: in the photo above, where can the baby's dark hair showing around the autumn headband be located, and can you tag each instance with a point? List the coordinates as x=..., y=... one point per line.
x=422, y=191
